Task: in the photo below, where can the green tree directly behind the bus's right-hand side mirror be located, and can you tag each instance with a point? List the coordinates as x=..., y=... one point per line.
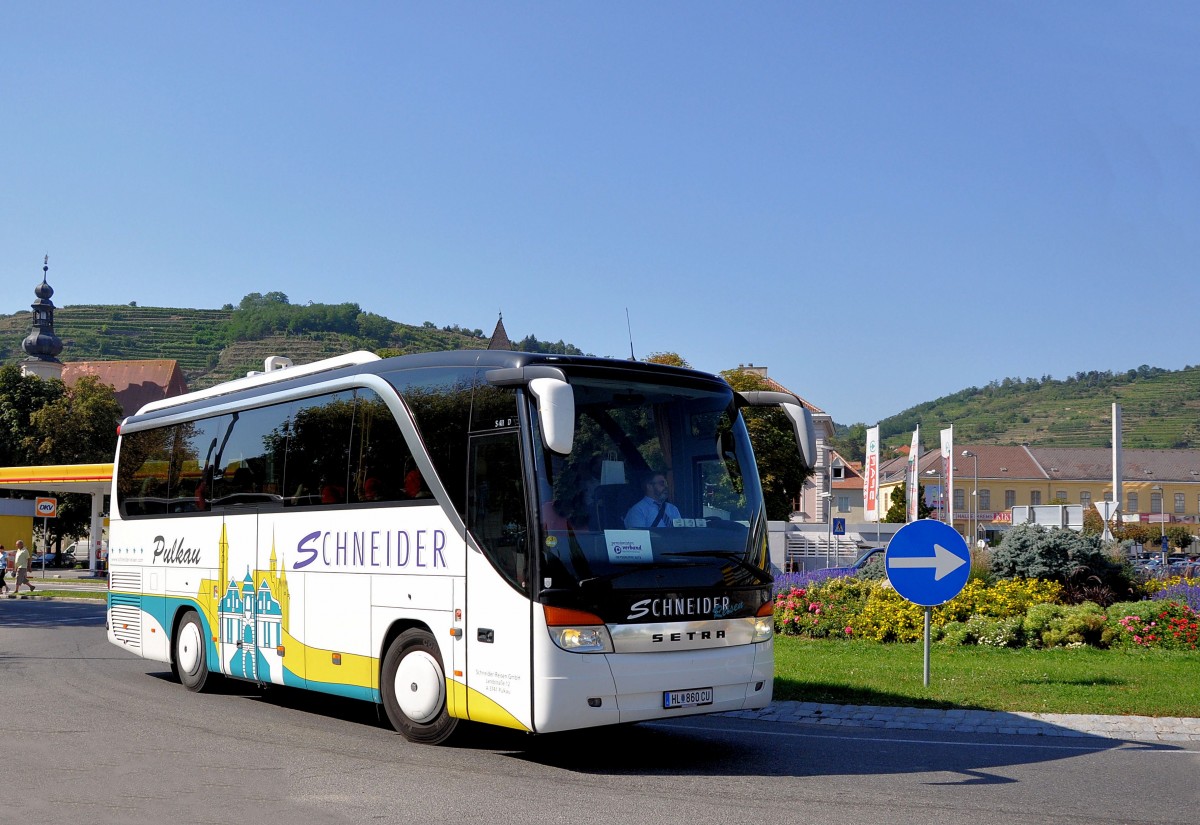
x=781, y=467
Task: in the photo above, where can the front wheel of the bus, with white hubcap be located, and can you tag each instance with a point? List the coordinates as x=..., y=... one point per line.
x=413, y=684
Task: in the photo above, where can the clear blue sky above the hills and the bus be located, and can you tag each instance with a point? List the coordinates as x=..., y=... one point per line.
x=884, y=203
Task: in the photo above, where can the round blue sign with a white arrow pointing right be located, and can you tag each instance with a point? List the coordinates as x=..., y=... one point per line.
x=928, y=563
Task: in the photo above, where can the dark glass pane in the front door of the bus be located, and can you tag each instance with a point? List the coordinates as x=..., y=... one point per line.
x=496, y=508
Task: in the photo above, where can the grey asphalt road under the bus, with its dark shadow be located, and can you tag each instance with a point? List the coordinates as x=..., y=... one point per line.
x=95, y=736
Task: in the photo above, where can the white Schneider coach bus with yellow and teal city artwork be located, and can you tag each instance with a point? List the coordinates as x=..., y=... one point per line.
x=449, y=535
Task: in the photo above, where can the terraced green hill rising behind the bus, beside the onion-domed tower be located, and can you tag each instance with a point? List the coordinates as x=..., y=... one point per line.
x=214, y=346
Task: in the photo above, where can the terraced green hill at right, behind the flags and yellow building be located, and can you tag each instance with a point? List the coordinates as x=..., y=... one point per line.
x=1160, y=408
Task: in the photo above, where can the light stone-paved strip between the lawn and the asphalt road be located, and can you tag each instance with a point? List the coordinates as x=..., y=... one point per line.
x=1138, y=728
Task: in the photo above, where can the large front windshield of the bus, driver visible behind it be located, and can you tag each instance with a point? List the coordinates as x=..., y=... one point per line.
x=661, y=492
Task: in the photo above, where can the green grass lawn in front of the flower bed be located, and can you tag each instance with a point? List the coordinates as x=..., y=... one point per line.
x=1081, y=681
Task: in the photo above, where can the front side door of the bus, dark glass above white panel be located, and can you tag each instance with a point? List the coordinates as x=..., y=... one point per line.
x=499, y=621
